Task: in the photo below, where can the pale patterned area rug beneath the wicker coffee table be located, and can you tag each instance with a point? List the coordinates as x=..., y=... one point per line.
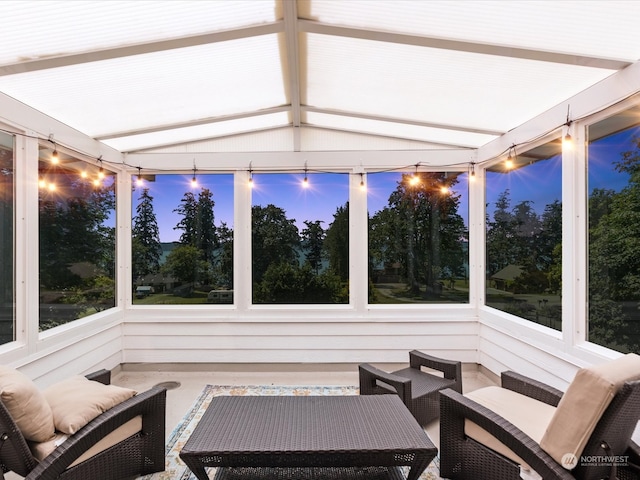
x=177, y=470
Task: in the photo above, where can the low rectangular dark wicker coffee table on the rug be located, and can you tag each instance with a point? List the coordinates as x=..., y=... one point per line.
x=308, y=437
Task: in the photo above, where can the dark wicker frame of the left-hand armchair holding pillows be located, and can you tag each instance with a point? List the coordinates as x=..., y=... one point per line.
x=139, y=454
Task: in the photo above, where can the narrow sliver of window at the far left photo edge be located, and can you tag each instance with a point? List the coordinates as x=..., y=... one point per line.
x=7, y=283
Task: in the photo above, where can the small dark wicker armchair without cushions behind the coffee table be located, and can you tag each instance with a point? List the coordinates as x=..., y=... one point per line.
x=418, y=389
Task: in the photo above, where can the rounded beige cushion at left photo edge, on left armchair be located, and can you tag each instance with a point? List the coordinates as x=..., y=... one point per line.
x=26, y=404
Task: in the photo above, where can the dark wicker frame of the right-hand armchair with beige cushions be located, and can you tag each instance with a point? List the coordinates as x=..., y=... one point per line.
x=463, y=457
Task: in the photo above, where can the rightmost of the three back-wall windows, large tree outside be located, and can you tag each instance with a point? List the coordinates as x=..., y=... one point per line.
x=418, y=237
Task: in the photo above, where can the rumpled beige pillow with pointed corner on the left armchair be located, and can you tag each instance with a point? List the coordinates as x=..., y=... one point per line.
x=76, y=401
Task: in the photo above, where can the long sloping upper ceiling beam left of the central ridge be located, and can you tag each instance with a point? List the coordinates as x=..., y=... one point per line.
x=140, y=48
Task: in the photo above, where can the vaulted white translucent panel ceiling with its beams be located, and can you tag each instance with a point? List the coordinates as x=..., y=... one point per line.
x=307, y=75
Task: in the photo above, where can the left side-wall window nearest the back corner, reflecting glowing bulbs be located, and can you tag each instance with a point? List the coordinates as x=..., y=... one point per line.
x=77, y=238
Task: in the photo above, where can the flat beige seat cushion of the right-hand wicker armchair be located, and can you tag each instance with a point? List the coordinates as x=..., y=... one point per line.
x=528, y=414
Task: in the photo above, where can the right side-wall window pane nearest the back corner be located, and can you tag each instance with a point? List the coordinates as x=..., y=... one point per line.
x=524, y=235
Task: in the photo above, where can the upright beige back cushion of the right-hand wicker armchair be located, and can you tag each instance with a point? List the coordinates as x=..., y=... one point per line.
x=582, y=405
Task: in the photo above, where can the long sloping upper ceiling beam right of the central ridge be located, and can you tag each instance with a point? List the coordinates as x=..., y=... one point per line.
x=461, y=46
